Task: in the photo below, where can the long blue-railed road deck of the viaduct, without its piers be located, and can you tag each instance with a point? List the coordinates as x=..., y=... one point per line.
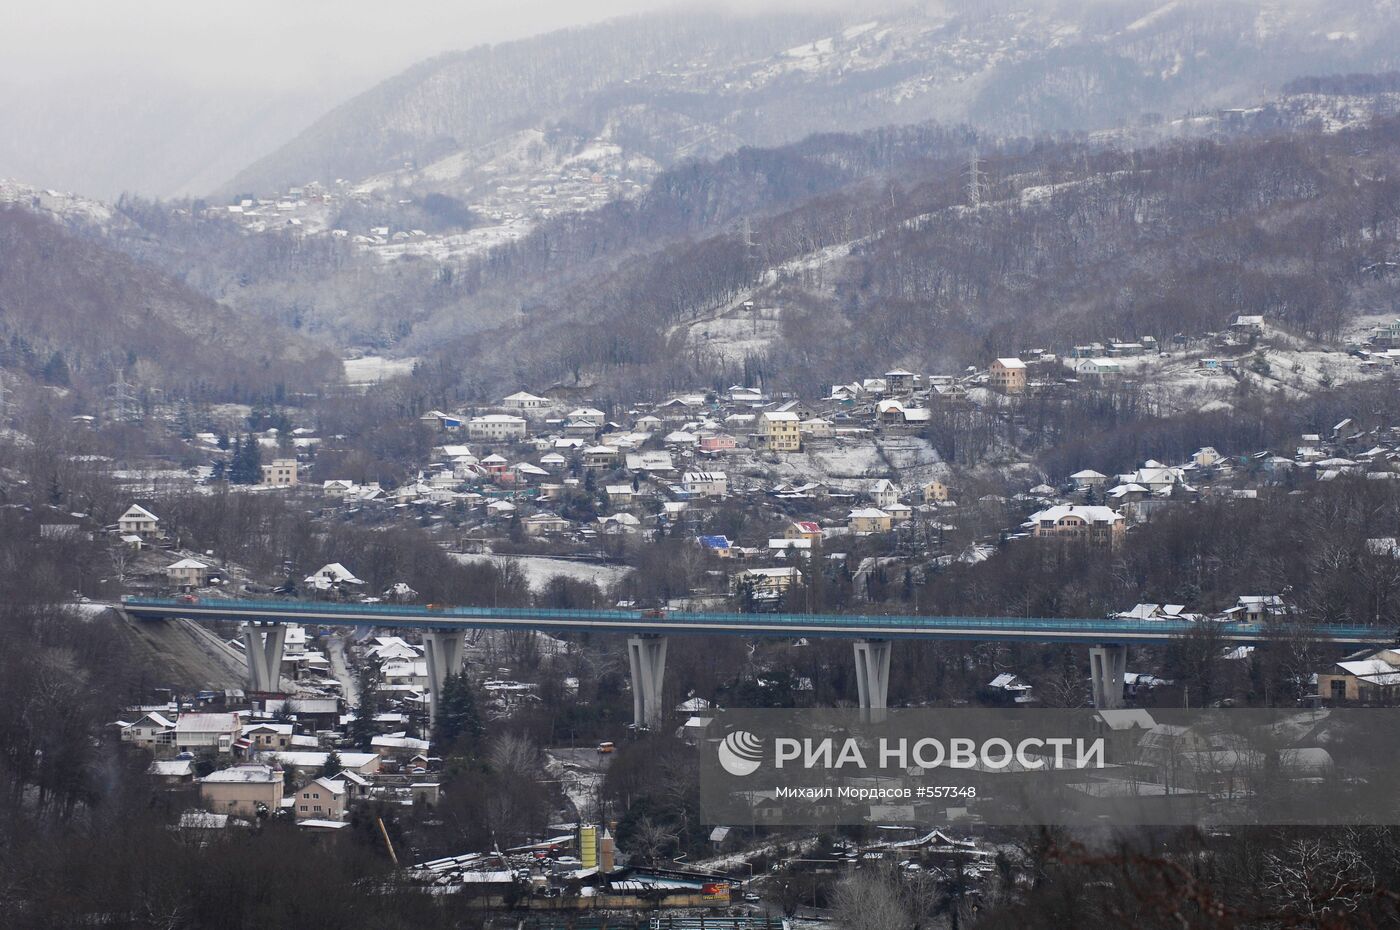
x=769, y=625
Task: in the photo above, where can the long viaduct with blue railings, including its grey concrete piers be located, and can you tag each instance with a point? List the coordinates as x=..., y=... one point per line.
x=647, y=635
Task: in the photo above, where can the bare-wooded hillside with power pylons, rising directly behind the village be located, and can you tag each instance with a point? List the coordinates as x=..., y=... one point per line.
x=1069, y=243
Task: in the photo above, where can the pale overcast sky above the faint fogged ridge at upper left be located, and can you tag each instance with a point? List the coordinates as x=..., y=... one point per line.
x=265, y=43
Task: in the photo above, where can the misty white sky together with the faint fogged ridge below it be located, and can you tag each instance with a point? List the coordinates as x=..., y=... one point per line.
x=164, y=97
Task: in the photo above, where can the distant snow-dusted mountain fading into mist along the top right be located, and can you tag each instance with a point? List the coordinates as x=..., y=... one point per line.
x=629, y=97
